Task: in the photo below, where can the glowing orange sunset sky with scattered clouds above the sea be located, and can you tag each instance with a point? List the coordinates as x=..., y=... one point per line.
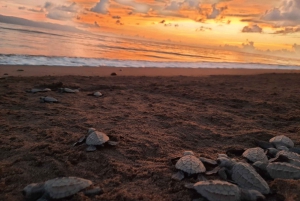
x=250, y=25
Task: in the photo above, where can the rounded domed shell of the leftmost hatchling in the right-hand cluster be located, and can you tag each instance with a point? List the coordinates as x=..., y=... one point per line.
x=190, y=164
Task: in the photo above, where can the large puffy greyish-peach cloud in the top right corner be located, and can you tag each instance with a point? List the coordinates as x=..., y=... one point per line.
x=288, y=13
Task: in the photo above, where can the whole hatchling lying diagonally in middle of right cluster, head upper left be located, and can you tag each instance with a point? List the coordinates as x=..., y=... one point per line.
x=243, y=174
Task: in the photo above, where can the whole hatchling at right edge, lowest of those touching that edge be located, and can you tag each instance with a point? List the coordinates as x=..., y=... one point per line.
x=280, y=170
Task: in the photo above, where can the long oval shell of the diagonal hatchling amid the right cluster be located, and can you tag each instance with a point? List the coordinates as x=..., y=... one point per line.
x=247, y=178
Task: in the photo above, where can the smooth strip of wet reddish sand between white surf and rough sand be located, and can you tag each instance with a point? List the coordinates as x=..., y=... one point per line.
x=29, y=70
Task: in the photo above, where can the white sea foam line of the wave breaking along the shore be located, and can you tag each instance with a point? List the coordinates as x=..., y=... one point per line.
x=72, y=61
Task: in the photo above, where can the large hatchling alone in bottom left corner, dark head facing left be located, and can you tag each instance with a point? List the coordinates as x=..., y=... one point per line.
x=55, y=188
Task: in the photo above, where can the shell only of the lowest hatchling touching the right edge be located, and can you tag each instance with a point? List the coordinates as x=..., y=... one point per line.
x=283, y=170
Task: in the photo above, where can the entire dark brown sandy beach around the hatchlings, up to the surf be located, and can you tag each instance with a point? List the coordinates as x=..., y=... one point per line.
x=155, y=118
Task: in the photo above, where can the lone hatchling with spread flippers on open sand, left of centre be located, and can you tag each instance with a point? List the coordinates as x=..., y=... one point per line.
x=95, y=138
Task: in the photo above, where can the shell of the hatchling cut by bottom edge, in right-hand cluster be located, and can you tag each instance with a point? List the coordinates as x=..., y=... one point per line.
x=215, y=190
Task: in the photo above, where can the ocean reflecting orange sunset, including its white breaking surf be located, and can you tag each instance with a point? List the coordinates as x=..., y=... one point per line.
x=22, y=45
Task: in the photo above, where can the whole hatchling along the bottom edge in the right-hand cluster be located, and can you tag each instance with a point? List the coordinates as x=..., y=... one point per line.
x=216, y=190
